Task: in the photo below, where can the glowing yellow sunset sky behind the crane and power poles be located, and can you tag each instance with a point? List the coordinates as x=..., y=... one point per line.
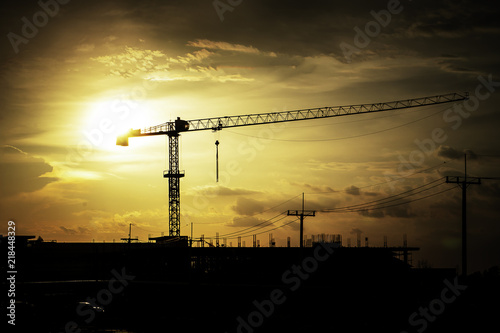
x=75, y=75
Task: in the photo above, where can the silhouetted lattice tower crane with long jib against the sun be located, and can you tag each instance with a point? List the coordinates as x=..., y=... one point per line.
x=174, y=128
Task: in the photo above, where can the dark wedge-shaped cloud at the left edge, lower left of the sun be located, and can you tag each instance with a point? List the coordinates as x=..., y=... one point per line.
x=21, y=173
